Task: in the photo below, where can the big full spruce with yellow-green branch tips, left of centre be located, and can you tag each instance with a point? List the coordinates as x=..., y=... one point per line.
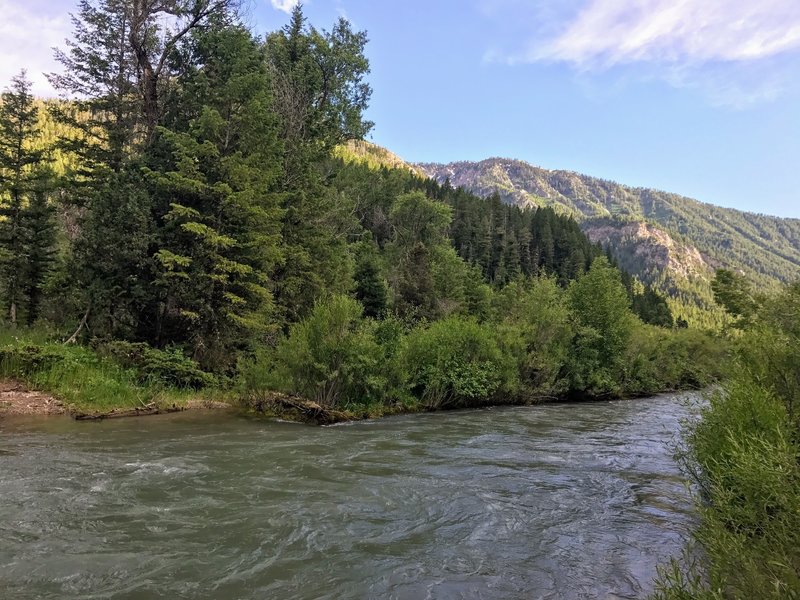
x=215, y=202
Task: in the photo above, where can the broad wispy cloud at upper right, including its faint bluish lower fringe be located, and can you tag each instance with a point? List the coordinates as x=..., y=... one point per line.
x=734, y=52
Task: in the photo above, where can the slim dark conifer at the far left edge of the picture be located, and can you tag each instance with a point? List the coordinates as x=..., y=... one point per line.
x=18, y=166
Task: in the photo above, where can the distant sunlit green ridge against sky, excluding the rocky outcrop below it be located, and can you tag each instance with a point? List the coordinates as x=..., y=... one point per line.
x=762, y=246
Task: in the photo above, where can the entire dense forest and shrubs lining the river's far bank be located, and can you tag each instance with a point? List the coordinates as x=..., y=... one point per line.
x=185, y=218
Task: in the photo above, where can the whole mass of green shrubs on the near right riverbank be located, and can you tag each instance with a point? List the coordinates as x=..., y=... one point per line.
x=743, y=458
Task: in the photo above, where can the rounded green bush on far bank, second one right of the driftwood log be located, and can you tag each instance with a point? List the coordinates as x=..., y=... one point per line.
x=456, y=363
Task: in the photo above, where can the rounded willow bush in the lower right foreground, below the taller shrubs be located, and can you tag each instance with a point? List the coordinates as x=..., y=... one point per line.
x=744, y=461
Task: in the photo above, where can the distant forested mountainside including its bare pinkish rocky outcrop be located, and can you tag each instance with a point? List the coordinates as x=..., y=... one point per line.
x=766, y=248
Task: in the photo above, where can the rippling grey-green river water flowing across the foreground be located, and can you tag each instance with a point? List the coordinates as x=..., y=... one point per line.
x=556, y=501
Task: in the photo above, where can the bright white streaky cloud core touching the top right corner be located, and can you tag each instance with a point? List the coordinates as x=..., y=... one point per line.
x=606, y=33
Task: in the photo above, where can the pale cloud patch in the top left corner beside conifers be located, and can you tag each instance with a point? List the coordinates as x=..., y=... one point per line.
x=28, y=33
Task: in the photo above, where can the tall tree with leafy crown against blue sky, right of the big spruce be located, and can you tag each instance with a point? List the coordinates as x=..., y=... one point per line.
x=319, y=93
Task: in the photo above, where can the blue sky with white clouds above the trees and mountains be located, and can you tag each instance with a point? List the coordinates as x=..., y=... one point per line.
x=697, y=97
